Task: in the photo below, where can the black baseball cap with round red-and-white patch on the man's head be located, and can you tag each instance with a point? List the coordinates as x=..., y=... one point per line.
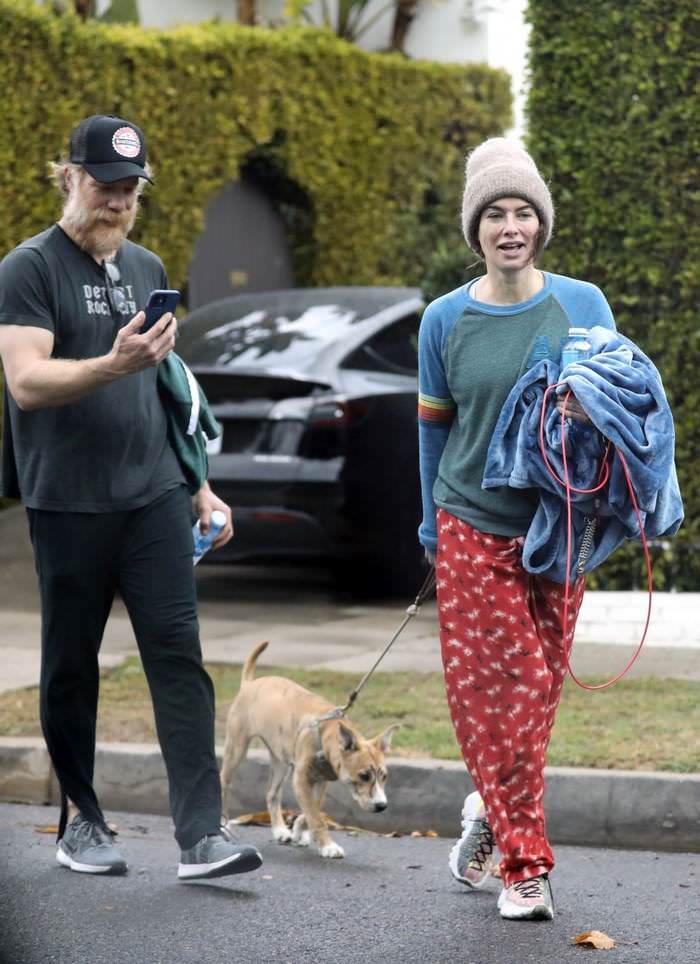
x=109, y=148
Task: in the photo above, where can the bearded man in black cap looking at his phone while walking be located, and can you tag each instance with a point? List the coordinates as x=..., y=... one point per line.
x=85, y=447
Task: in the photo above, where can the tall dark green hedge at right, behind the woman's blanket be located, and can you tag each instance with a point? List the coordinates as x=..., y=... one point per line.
x=613, y=122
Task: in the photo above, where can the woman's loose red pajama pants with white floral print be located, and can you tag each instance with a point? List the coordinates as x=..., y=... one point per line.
x=501, y=640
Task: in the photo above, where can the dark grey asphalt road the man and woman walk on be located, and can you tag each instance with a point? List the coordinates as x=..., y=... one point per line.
x=391, y=901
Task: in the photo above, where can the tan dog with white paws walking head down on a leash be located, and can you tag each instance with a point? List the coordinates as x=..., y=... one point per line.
x=282, y=714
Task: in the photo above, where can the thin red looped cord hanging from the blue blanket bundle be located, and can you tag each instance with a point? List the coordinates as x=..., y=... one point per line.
x=603, y=477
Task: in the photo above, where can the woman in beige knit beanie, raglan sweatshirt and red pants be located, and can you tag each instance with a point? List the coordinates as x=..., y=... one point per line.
x=501, y=629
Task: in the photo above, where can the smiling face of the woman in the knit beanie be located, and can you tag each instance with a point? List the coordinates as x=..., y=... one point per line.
x=509, y=233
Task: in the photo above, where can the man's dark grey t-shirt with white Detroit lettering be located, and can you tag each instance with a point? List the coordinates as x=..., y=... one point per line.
x=109, y=450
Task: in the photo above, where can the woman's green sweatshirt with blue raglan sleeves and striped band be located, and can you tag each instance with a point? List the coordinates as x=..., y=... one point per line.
x=470, y=355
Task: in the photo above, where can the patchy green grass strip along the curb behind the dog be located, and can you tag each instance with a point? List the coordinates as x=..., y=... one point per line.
x=638, y=724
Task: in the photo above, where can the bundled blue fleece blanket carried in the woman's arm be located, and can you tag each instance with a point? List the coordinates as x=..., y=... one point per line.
x=620, y=390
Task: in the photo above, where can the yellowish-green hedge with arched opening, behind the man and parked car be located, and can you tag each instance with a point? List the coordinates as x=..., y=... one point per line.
x=375, y=143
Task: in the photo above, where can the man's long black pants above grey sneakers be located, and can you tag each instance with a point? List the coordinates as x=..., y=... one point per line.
x=82, y=559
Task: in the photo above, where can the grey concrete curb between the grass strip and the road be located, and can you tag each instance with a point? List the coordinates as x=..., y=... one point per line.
x=605, y=808
